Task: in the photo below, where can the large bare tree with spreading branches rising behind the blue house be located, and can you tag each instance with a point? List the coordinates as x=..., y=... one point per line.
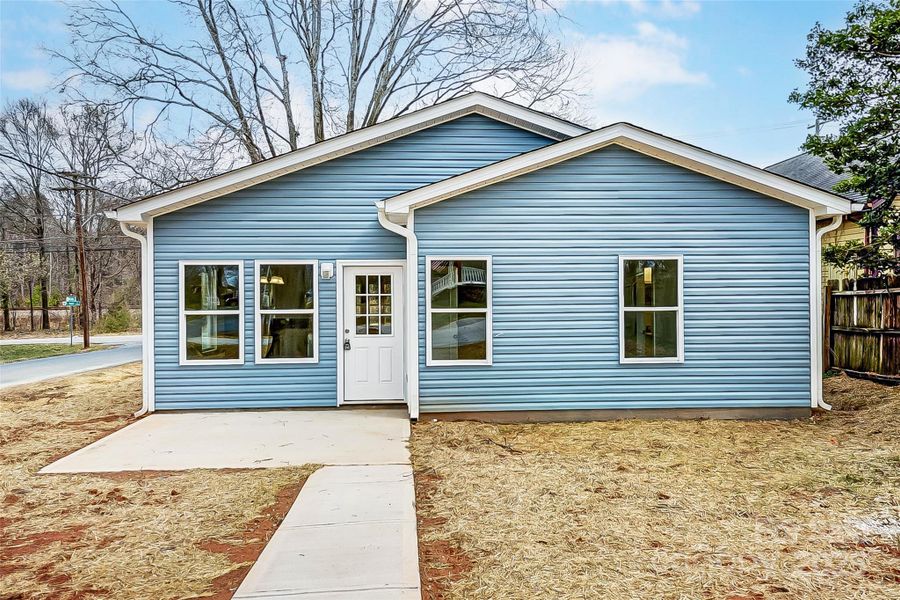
x=356, y=62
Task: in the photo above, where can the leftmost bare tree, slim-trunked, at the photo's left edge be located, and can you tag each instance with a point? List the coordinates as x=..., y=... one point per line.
x=27, y=135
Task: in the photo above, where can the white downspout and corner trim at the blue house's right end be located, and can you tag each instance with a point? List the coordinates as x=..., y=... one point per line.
x=817, y=324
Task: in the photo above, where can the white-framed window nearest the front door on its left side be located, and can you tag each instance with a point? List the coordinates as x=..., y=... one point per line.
x=286, y=306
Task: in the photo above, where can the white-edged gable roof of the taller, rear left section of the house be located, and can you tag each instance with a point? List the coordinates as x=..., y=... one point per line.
x=244, y=177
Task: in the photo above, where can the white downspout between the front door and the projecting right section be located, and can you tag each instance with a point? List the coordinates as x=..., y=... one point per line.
x=412, y=306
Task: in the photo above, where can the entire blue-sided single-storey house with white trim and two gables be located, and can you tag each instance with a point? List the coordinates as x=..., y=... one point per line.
x=480, y=257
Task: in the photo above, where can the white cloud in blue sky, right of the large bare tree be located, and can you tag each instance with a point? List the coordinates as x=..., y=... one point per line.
x=622, y=67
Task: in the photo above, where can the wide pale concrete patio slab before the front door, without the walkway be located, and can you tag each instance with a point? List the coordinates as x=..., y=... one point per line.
x=247, y=439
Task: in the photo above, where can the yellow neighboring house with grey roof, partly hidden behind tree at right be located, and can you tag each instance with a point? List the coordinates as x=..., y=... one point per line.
x=812, y=170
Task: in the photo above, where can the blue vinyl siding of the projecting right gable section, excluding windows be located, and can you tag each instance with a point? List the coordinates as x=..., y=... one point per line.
x=555, y=236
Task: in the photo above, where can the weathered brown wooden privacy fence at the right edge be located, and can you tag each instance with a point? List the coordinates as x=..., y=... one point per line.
x=862, y=325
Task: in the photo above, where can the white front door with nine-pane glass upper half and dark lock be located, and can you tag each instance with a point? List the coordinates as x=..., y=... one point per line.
x=373, y=333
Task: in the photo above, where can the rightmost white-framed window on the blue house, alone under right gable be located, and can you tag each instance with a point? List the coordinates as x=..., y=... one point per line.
x=651, y=321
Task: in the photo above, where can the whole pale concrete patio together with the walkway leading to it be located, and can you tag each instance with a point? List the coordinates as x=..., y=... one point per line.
x=351, y=533
